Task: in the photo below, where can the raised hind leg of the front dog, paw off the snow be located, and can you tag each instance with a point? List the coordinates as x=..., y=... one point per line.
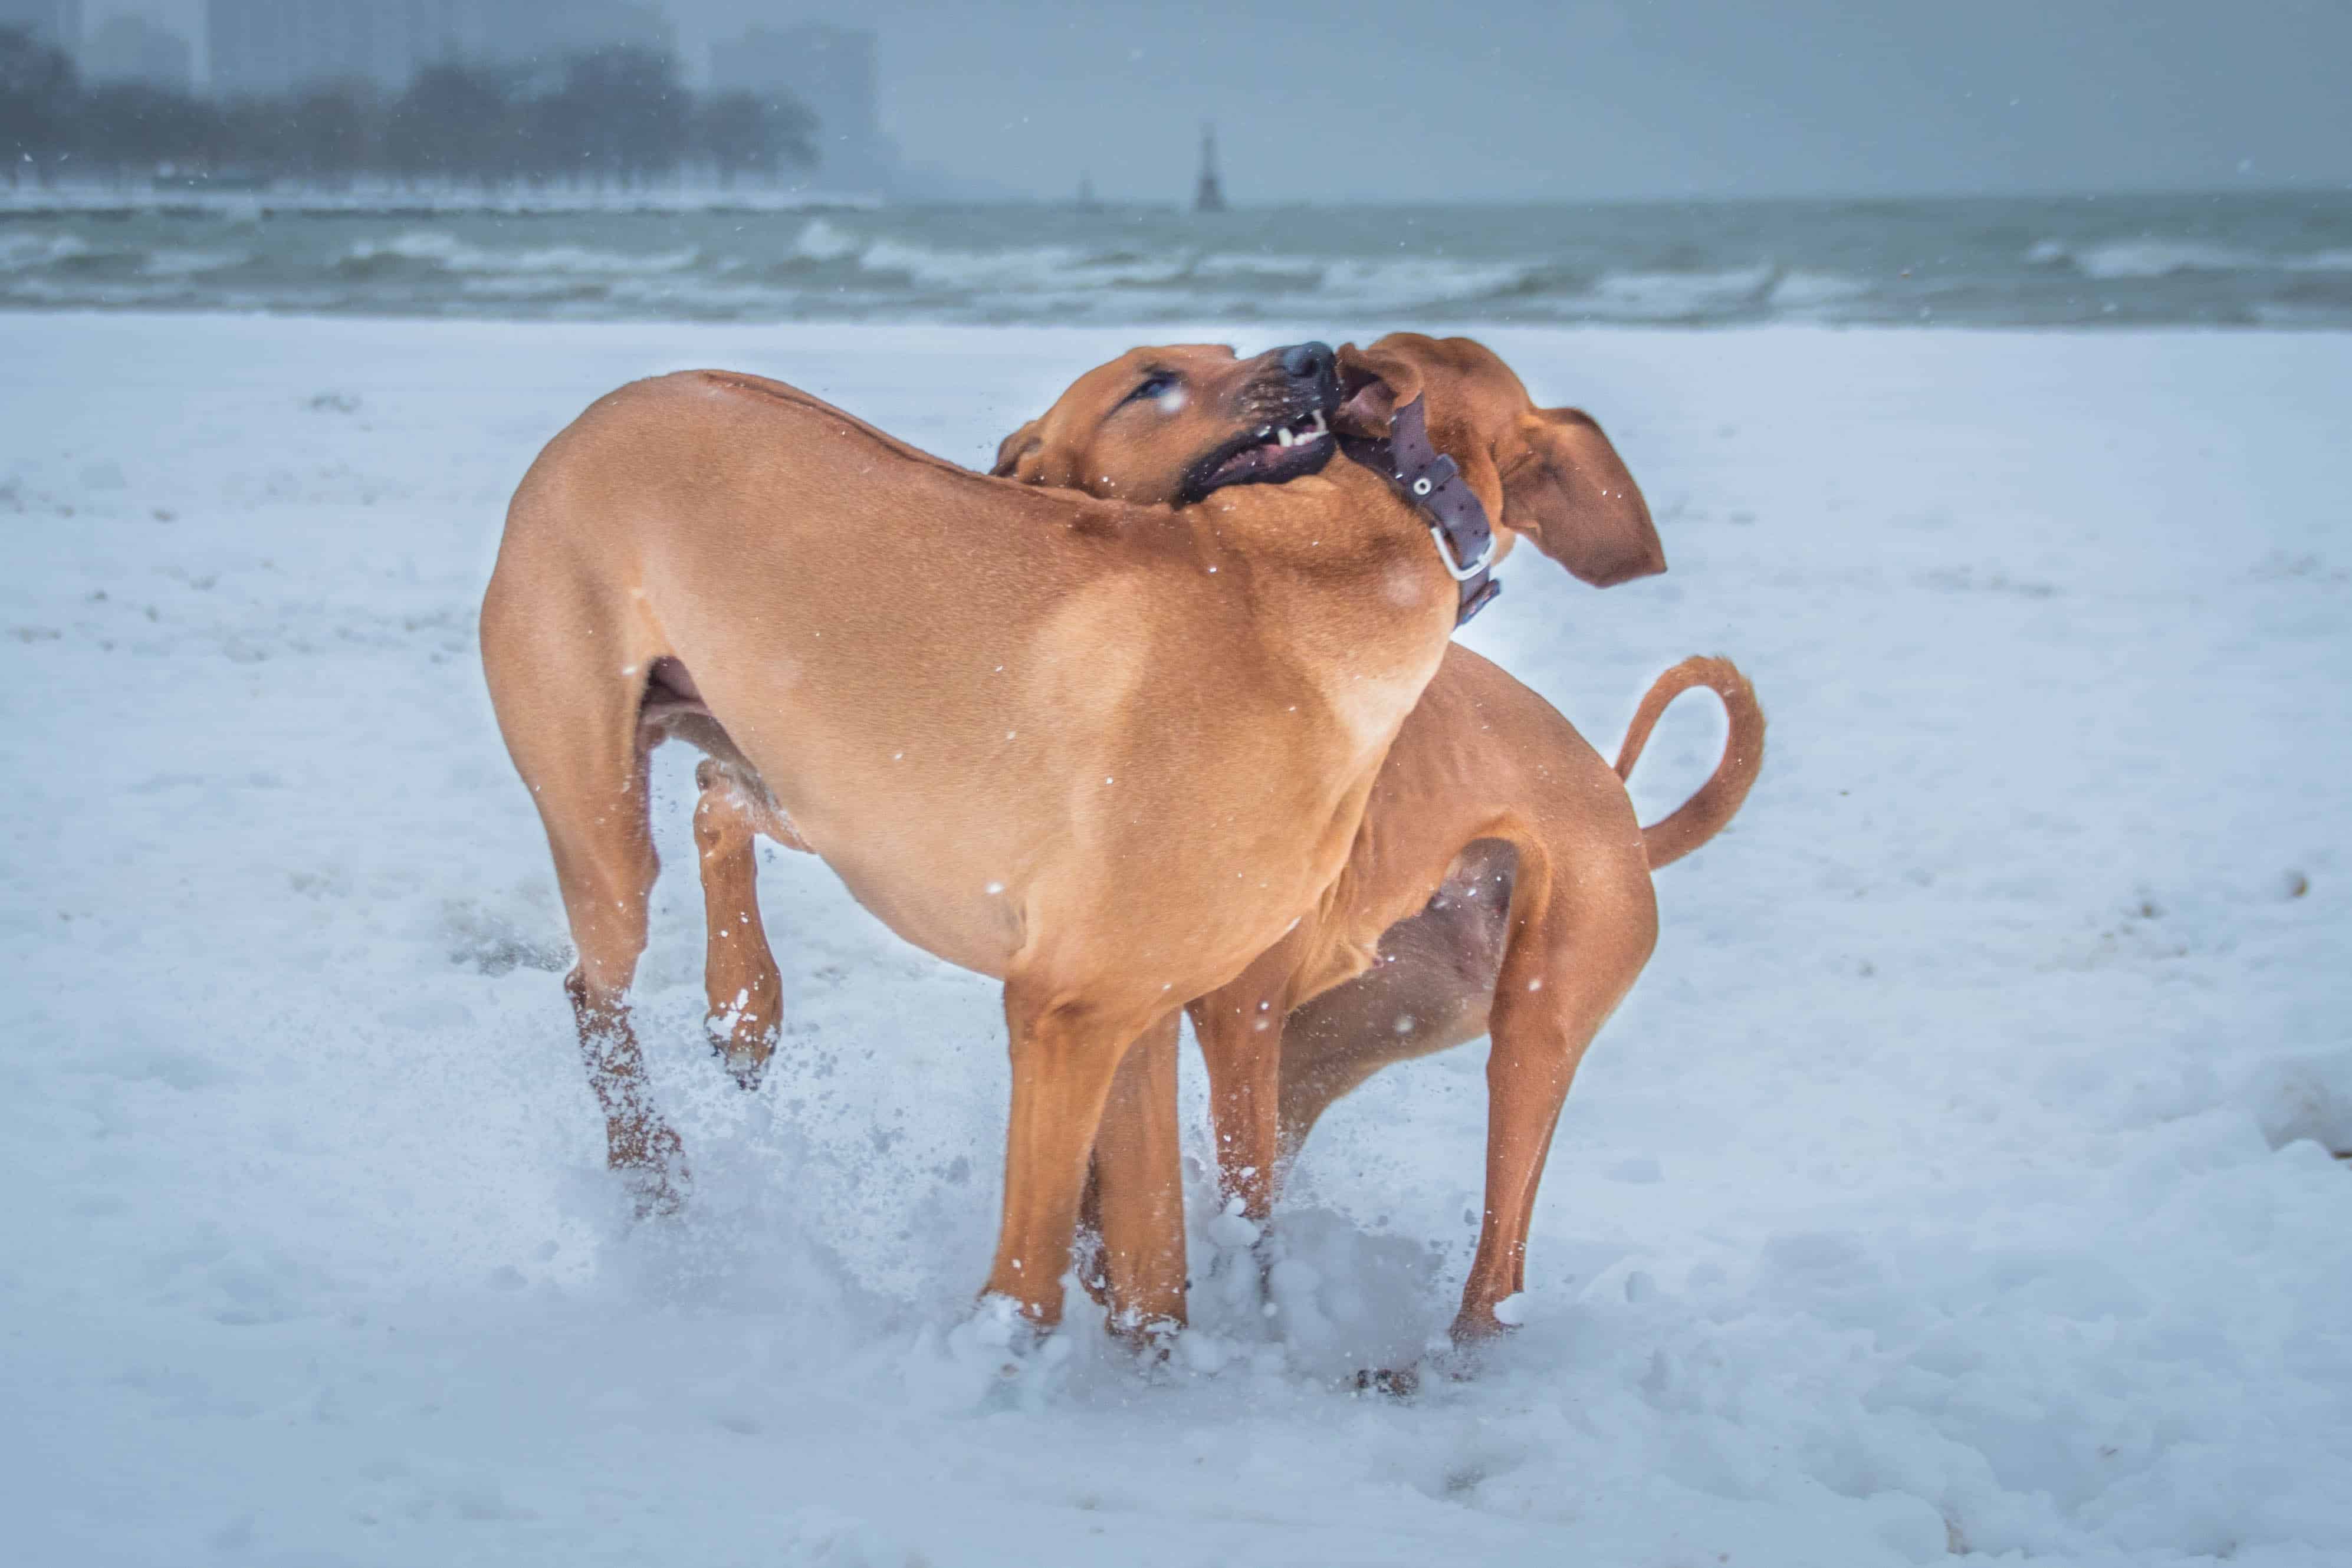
x=740, y=970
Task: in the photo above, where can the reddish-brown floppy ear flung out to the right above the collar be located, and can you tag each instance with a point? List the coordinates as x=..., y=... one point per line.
x=1570, y=492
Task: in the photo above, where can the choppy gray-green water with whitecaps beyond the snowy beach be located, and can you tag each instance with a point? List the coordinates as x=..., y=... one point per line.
x=2040, y=264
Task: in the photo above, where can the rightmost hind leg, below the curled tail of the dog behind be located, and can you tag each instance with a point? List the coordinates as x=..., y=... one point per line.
x=1570, y=958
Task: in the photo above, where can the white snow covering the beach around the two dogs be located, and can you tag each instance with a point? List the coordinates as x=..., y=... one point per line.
x=1951, y=1184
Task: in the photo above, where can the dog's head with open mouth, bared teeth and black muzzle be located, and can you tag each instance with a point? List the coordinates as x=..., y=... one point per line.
x=1177, y=424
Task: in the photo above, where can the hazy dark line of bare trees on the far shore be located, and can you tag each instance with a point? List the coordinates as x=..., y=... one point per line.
x=606, y=119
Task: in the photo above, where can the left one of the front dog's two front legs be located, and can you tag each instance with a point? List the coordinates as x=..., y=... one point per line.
x=1067, y=1052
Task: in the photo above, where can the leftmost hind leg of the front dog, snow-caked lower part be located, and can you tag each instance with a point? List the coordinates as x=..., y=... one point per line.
x=568, y=706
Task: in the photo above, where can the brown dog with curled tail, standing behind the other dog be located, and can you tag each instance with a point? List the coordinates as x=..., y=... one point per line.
x=1499, y=878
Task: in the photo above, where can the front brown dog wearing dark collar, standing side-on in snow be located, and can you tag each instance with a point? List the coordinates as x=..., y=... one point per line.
x=1104, y=751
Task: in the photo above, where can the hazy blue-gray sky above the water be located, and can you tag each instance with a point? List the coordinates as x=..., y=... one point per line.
x=1596, y=98
